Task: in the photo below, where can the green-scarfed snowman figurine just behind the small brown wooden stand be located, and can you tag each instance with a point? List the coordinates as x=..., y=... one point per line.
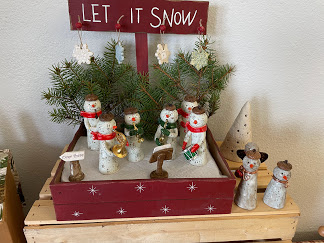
x=167, y=131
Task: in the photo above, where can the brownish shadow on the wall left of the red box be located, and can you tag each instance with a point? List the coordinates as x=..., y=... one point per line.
x=32, y=156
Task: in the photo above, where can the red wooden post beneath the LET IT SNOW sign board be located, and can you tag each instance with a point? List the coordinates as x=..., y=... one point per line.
x=141, y=52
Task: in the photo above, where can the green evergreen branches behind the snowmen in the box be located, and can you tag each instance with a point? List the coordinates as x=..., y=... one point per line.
x=119, y=86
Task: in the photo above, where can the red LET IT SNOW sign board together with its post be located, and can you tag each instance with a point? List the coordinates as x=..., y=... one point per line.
x=140, y=17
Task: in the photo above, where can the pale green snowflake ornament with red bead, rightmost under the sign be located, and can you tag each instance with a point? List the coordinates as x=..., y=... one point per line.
x=199, y=57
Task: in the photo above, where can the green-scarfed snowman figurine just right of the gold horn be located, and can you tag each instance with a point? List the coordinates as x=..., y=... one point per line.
x=133, y=130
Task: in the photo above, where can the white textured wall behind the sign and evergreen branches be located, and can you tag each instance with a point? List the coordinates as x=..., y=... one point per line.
x=277, y=47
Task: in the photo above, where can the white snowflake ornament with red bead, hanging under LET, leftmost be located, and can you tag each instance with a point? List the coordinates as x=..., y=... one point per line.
x=81, y=52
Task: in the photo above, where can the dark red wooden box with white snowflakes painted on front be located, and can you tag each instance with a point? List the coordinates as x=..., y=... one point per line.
x=143, y=198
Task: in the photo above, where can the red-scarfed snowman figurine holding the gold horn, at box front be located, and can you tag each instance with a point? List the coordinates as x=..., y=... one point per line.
x=106, y=136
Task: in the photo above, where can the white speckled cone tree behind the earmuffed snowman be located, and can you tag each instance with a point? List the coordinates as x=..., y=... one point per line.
x=239, y=134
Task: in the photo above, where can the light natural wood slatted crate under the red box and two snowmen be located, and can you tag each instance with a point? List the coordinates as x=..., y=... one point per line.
x=263, y=223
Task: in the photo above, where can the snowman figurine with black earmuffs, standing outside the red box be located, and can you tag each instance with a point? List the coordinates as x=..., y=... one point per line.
x=246, y=195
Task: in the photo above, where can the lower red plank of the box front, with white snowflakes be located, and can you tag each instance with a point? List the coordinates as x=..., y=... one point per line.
x=143, y=209
